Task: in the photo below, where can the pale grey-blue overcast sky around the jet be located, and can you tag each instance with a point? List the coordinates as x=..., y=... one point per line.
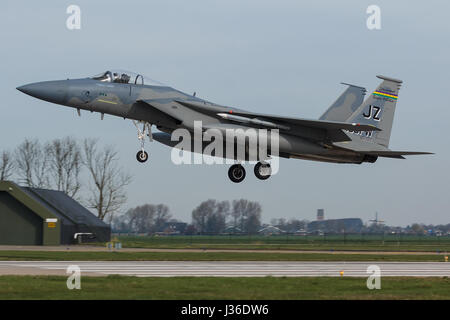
x=279, y=57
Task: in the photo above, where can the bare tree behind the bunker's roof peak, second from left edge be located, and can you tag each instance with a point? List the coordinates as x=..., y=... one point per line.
x=32, y=164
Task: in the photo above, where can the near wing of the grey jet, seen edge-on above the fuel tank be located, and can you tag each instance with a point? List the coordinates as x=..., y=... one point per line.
x=277, y=122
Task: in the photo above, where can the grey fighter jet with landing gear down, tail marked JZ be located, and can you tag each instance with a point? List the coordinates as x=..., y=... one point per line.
x=353, y=129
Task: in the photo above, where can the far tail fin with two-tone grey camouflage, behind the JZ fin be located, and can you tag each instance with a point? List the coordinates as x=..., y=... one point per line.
x=345, y=105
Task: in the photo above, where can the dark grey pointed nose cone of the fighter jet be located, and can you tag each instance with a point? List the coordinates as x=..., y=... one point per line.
x=52, y=91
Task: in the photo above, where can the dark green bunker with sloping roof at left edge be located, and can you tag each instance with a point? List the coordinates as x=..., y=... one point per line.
x=31, y=216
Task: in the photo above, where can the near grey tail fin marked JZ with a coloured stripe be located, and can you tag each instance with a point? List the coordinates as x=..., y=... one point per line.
x=378, y=109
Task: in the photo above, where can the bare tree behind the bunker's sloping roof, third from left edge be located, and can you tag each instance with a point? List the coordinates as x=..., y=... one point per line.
x=64, y=160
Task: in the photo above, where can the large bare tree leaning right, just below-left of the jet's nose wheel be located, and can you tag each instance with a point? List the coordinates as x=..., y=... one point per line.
x=108, y=179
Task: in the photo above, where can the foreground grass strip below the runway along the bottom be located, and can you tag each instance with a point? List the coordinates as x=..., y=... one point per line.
x=118, y=287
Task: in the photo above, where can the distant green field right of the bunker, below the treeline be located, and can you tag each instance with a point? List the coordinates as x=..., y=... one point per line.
x=290, y=242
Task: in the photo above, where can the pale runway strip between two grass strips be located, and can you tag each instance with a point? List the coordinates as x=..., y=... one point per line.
x=227, y=268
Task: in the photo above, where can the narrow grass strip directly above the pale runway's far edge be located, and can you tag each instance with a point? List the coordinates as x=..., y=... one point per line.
x=210, y=256
